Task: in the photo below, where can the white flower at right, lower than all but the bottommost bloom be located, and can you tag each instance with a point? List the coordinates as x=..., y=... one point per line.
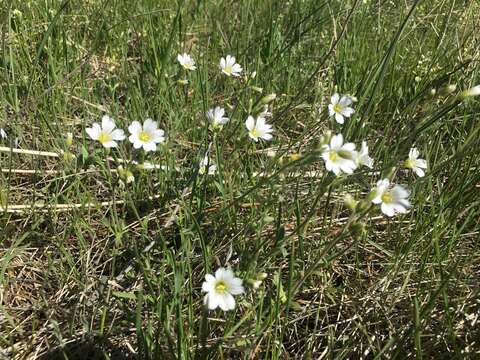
x=393, y=200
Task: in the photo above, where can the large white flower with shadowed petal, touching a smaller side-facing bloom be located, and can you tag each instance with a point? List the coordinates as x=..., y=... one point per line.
x=339, y=157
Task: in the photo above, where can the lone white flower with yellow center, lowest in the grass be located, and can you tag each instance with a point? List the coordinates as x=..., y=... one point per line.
x=221, y=288
